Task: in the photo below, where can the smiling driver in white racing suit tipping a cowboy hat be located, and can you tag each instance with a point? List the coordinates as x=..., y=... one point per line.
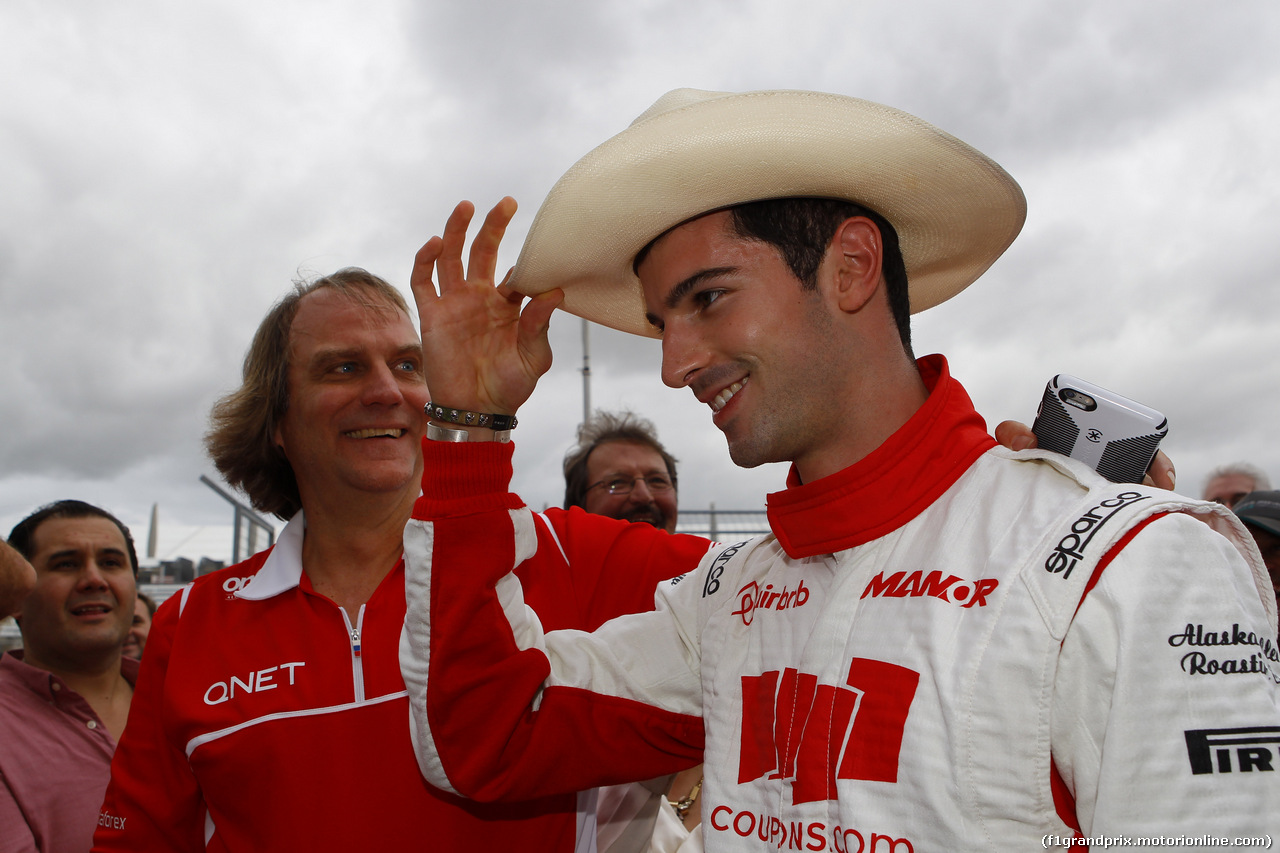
x=943, y=645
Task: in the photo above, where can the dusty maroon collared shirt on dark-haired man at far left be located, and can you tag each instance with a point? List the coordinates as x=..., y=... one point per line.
x=56, y=760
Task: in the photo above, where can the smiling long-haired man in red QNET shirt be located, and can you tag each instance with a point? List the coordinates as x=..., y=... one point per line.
x=271, y=713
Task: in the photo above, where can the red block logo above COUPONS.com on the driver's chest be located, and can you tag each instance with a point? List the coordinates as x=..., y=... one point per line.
x=813, y=735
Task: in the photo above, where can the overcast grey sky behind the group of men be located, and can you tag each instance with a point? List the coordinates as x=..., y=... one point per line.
x=167, y=170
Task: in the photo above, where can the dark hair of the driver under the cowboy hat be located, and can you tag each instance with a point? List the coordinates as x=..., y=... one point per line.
x=802, y=231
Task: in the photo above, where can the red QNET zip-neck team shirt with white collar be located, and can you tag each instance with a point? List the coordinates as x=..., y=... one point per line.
x=266, y=719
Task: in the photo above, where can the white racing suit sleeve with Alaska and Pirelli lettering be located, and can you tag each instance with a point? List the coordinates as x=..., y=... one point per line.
x=1167, y=711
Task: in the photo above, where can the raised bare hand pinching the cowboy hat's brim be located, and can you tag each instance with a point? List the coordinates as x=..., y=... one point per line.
x=481, y=352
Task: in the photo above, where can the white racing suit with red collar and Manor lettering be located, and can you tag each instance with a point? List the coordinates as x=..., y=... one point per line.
x=947, y=647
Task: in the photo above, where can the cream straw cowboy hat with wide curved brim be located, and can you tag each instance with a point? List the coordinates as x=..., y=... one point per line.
x=694, y=152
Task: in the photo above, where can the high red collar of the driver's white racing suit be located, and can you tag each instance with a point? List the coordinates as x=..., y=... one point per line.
x=892, y=486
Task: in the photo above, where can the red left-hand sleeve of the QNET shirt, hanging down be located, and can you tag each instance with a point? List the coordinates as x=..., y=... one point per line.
x=153, y=801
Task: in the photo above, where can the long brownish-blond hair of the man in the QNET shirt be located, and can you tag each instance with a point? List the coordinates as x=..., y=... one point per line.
x=241, y=439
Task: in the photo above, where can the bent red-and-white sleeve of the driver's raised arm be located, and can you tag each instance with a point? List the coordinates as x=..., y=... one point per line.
x=504, y=710
